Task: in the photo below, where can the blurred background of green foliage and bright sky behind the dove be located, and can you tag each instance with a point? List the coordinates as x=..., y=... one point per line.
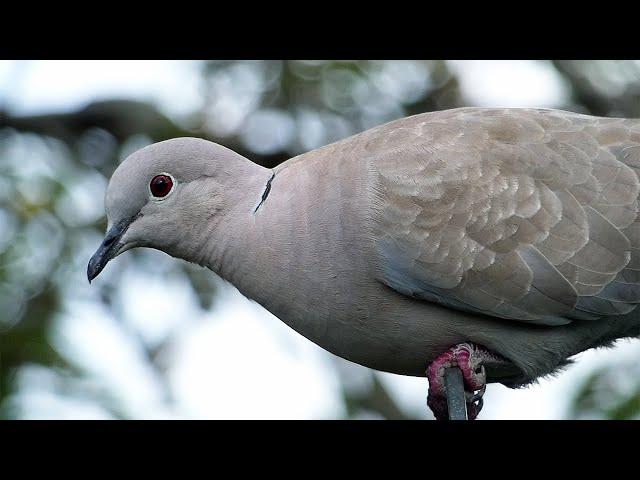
x=155, y=337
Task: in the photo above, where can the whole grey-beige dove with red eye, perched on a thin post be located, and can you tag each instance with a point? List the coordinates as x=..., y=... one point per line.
x=502, y=241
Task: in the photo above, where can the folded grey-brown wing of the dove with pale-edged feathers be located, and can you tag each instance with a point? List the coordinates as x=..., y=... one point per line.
x=522, y=214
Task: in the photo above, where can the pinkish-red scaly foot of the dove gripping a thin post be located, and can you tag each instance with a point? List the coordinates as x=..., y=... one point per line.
x=469, y=359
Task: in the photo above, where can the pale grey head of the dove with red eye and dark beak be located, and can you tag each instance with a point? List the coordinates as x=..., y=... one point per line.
x=162, y=194
